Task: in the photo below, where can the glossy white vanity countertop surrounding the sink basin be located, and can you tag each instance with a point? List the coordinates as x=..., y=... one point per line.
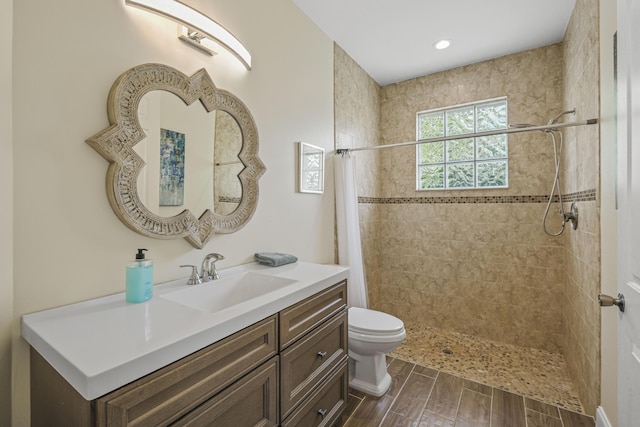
x=105, y=343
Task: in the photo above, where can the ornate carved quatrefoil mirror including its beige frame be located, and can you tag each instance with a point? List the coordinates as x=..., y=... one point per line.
x=170, y=156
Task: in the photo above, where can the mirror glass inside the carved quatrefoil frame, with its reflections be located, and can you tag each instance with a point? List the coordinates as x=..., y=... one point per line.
x=189, y=142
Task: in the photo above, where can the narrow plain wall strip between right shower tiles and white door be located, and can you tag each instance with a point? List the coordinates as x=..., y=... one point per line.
x=608, y=215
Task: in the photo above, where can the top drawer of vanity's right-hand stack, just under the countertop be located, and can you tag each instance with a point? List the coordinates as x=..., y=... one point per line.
x=309, y=313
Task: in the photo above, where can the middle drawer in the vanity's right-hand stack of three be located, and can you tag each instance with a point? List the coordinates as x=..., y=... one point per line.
x=309, y=360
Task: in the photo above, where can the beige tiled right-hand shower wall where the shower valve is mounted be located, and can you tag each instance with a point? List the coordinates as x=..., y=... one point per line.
x=581, y=172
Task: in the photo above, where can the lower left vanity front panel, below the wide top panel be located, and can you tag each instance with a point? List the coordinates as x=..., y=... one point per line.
x=252, y=401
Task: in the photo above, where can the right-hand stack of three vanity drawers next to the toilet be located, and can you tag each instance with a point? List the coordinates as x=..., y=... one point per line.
x=313, y=357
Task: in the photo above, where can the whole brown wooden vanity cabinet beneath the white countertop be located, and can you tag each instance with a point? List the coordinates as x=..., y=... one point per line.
x=288, y=369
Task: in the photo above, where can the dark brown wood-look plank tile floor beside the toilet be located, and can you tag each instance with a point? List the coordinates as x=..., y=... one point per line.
x=426, y=397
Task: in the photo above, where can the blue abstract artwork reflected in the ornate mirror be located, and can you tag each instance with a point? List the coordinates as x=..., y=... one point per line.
x=171, y=168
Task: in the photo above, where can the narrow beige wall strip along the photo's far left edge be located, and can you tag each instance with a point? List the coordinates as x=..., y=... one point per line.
x=6, y=210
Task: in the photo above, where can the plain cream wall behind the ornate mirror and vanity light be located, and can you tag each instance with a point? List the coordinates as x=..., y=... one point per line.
x=69, y=245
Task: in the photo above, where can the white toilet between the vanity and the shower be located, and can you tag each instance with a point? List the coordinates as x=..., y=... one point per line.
x=372, y=334
